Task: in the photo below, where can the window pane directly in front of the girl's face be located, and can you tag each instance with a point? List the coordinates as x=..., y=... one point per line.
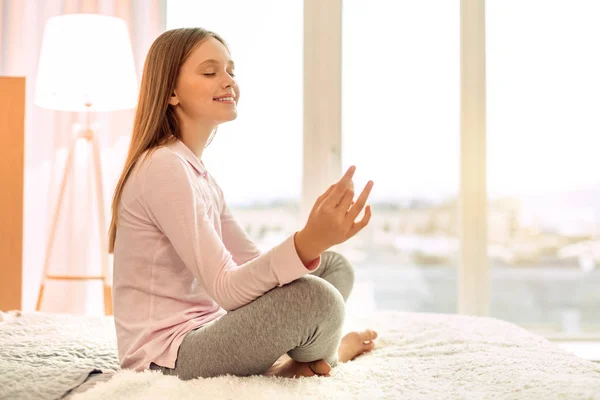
x=257, y=159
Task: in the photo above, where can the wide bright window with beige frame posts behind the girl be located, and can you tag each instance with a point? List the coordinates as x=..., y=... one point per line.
x=400, y=101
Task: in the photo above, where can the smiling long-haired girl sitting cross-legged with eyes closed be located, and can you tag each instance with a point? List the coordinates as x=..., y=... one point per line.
x=193, y=297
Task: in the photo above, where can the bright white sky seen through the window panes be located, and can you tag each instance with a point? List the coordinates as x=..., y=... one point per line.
x=401, y=95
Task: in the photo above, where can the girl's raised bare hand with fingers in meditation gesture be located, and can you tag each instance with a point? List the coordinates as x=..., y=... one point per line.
x=332, y=218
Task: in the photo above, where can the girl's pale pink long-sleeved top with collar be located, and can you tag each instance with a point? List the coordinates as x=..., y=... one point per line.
x=181, y=259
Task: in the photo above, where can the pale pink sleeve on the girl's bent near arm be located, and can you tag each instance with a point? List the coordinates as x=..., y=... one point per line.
x=174, y=202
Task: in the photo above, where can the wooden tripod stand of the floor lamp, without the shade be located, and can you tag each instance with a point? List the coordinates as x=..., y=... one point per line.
x=86, y=134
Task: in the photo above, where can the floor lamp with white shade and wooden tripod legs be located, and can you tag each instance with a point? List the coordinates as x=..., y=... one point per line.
x=86, y=64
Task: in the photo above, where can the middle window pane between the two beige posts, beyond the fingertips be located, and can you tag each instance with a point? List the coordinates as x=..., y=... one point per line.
x=401, y=72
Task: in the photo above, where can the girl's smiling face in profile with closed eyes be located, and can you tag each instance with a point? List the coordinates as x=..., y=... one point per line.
x=206, y=92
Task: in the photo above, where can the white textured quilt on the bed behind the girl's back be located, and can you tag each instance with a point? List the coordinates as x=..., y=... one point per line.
x=43, y=356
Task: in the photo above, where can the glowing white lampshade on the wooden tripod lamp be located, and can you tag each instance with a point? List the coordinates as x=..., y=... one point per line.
x=86, y=58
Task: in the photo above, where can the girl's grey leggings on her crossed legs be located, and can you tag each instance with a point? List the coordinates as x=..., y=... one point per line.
x=303, y=319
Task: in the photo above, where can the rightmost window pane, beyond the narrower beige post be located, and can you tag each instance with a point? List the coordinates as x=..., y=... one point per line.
x=543, y=88
